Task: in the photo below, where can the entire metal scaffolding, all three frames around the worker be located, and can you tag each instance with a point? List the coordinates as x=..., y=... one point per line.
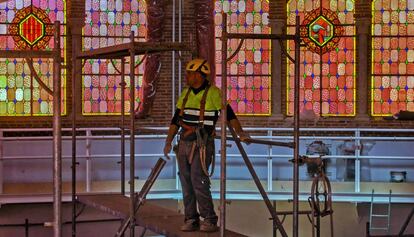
x=130, y=50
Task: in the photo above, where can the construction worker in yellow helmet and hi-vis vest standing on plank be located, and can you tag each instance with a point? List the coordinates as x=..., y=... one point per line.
x=196, y=114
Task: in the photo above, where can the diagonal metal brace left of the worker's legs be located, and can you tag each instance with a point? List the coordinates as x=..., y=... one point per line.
x=140, y=198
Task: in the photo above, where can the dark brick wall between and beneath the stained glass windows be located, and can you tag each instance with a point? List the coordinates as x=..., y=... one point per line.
x=161, y=111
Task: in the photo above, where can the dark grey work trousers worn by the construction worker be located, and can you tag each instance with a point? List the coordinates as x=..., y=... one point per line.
x=195, y=184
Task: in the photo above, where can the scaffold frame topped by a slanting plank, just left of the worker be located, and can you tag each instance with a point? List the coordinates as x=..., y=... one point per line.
x=120, y=52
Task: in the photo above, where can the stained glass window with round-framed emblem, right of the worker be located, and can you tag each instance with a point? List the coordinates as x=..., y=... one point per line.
x=327, y=62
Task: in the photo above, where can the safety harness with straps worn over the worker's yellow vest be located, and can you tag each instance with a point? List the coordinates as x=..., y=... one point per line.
x=201, y=134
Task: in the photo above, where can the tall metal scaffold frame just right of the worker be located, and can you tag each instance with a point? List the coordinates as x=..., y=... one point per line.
x=296, y=38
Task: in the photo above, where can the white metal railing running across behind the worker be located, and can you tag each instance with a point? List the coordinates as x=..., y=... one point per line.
x=267, y=155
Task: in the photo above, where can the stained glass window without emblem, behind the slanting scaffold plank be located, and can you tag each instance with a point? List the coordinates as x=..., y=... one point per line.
x=108, y=23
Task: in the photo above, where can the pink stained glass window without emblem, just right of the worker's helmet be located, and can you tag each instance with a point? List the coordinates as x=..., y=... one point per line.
x=249, y=71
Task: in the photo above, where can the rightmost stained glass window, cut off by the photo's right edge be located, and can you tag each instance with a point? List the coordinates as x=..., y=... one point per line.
x=392, y=85
